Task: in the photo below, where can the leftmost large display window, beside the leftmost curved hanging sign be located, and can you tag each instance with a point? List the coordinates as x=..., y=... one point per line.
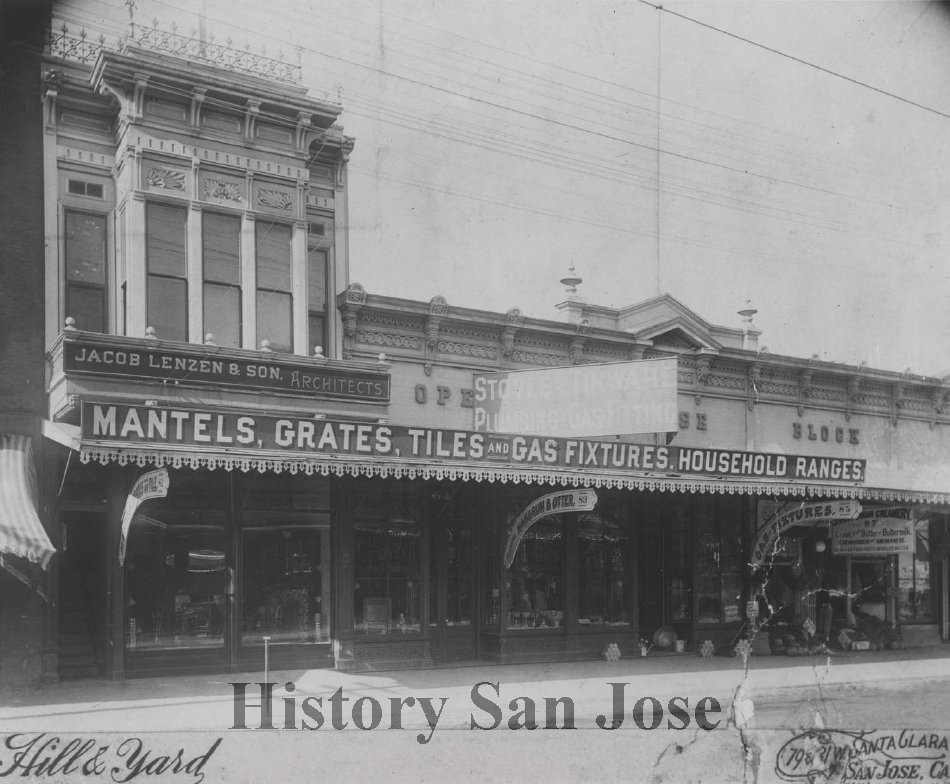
x=177, y=585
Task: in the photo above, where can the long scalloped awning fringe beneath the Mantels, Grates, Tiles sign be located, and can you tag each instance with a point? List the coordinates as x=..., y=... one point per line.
x=350, y=465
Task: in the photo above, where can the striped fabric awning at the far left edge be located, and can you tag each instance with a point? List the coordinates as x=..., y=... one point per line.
x=21, y=532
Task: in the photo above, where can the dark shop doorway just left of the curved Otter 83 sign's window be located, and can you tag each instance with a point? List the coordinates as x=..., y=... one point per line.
x=453, y=628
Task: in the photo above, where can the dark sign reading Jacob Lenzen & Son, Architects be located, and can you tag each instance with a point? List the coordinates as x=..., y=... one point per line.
x=100, y=358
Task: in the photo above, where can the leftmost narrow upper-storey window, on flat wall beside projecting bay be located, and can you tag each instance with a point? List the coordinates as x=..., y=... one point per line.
x=86, y=269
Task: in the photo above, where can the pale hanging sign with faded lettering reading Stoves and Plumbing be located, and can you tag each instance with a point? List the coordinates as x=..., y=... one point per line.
x=616, y=398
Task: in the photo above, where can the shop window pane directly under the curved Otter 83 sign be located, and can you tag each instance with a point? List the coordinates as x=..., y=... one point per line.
x=535, y=592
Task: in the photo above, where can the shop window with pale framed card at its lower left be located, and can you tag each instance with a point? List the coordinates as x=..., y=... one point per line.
x=388, y=559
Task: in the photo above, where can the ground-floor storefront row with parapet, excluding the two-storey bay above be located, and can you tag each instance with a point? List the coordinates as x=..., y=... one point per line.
x=375, y=530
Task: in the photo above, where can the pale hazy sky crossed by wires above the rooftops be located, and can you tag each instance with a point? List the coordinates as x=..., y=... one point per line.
x=792, y=154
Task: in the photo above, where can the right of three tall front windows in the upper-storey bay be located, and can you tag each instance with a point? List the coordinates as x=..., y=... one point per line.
x=274, y=292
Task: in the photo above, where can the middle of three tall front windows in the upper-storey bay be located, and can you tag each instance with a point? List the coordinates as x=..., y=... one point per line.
x=221, y=258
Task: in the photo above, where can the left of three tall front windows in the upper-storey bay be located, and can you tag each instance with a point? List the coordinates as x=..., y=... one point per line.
x=166, y=258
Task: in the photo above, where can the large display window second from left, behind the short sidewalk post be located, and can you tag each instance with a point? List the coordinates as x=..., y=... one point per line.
x=283, y=586
